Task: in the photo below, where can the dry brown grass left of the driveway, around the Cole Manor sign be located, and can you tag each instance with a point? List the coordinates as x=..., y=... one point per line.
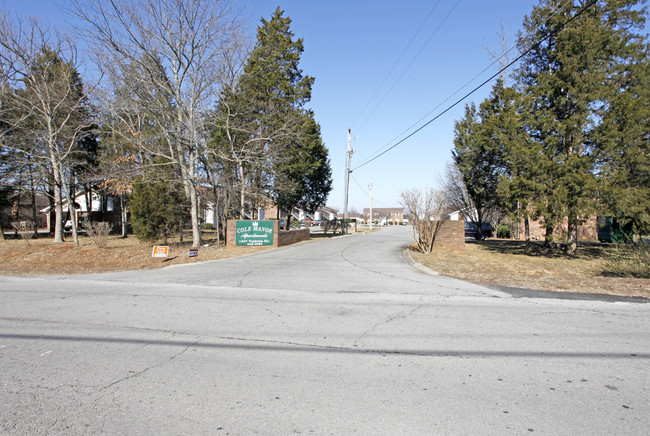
x=42, y=256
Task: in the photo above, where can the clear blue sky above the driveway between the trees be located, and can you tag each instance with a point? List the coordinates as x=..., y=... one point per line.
x=358, y=49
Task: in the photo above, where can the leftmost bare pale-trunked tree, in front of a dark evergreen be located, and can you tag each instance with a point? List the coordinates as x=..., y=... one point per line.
x=44, y=97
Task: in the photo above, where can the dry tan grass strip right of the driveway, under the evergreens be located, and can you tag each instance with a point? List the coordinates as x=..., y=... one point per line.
x=516, y=264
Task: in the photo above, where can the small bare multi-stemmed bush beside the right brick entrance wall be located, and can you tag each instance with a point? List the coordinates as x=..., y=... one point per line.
x=425, y=210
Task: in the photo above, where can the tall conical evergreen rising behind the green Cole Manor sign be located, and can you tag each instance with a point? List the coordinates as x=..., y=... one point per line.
x=264, y=129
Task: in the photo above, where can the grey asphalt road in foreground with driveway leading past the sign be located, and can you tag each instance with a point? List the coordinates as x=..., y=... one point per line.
x=342, y=336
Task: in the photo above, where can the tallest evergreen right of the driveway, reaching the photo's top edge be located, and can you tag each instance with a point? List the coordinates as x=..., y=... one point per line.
x=569, y=79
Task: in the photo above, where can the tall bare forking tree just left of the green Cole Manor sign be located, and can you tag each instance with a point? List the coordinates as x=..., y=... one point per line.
x=168, y=54
